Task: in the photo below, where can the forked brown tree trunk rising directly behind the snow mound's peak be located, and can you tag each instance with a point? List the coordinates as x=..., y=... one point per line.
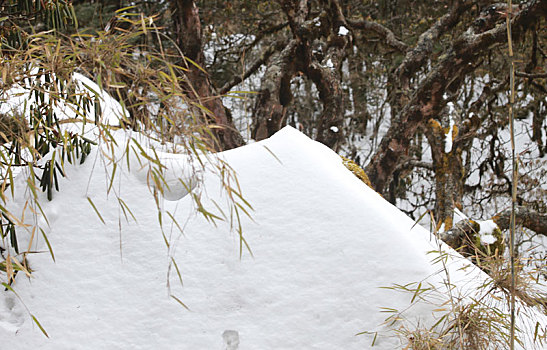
x=274, y=96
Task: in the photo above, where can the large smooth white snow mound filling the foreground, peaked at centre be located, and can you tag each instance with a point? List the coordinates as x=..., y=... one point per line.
x=323, y=244
